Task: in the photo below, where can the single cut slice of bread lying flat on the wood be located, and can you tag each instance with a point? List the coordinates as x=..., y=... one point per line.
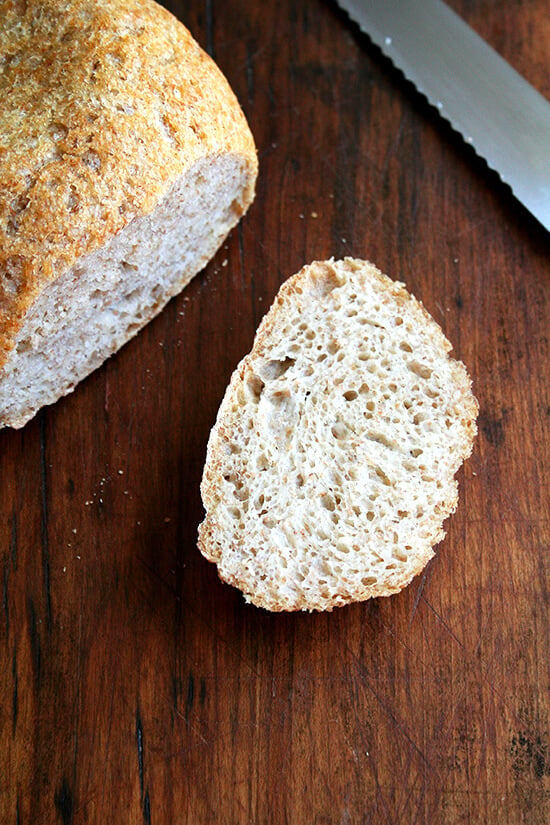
x=330, y=468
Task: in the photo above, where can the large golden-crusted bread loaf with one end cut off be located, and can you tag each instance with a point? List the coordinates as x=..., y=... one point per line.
x=125, y=160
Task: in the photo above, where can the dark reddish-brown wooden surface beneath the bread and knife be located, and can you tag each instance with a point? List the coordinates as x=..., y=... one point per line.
x=135, y=687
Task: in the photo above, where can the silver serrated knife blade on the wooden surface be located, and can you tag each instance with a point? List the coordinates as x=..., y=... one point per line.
x=495, y=109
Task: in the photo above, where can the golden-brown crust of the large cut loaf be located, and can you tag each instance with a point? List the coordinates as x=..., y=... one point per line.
x=104, y=104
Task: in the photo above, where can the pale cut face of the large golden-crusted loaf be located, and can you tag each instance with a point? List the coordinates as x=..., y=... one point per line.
x=95, y=307
